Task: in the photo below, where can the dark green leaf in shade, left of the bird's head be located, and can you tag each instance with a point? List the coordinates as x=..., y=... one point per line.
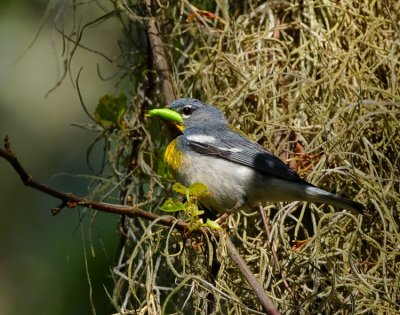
x=110, y=110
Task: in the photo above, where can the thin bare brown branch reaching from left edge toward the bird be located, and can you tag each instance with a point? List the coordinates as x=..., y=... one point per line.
x=71, y=201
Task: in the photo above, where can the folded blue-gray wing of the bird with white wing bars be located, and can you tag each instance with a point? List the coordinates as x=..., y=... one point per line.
x=233, y=147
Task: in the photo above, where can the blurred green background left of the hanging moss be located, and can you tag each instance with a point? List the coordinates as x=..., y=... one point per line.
x=42, y=260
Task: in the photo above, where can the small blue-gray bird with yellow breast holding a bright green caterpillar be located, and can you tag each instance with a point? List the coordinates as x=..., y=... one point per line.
x=238, y=172
